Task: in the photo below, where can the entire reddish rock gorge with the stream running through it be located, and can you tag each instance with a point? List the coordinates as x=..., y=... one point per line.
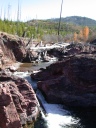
x=52, y=94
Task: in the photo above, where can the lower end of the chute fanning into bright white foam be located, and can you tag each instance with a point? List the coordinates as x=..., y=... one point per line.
x=57, y=116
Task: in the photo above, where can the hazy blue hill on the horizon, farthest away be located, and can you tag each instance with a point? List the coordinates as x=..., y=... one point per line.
x=77, y=20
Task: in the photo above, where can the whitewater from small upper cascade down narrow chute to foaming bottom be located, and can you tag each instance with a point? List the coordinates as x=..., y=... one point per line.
x=56, y=116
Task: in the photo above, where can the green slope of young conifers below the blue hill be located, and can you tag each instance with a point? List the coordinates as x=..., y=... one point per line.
x=37, y=28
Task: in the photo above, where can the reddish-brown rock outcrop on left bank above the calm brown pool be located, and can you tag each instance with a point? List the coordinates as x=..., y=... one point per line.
x=12, y=49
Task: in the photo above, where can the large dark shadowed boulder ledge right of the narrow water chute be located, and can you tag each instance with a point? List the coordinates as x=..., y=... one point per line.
x=71, y=82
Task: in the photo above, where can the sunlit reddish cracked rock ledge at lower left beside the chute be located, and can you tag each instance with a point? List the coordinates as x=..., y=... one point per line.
x=18, y=102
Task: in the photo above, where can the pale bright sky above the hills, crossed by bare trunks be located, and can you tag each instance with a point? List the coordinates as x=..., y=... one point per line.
x=46, y=9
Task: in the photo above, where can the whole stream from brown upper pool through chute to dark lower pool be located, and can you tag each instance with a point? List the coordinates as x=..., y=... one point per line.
x=57, y=115
